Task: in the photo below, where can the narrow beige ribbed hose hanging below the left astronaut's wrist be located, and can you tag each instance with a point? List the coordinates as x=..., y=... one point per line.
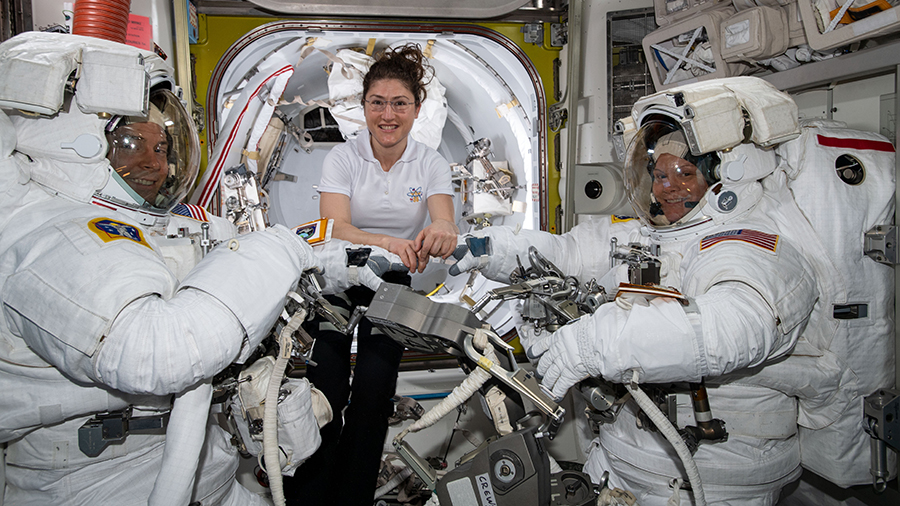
x=271, y=450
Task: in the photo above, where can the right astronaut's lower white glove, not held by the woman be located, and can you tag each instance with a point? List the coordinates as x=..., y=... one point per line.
x=566, y=356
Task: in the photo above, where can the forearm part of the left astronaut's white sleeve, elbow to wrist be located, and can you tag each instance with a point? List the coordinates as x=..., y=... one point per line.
x=236, y=291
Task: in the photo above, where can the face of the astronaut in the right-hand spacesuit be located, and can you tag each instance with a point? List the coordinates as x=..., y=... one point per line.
x=677, y=185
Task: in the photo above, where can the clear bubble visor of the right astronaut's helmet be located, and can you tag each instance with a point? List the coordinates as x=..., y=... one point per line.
x=666, y=184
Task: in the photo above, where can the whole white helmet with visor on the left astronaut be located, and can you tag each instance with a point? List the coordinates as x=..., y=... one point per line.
x=79, y=147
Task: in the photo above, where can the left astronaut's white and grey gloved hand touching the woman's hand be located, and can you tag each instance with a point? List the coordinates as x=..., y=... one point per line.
x=342, y=270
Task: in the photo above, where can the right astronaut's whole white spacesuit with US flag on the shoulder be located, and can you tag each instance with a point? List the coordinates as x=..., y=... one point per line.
x=695, y=172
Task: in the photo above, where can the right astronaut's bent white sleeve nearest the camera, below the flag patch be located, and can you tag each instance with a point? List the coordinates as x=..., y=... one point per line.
x=750, y=307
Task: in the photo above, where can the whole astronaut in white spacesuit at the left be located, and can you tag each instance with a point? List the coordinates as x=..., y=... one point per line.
x=107, y=313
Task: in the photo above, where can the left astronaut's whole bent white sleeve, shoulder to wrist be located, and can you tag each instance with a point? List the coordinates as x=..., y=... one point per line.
x=108, y=313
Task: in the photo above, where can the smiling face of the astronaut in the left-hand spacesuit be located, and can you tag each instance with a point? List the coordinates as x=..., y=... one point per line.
x=138, y=153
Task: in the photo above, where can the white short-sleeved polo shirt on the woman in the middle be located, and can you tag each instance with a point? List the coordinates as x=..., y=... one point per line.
x=391, y=203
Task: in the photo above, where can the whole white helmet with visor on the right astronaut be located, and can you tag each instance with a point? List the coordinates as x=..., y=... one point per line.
x=696, y=154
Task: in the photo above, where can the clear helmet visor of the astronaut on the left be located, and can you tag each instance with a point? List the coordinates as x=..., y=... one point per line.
x=155, y=159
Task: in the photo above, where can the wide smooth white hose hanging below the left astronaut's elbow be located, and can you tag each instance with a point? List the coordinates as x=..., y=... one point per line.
x=185, y=435
